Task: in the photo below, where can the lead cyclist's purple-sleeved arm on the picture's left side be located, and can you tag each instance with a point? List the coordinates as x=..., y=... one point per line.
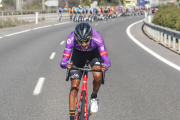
x=67, y=51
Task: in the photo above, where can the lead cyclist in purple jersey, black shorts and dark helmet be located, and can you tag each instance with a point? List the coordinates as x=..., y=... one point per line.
x=85, y=43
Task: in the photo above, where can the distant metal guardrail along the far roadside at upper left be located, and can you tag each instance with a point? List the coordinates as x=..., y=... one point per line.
x=29, y=12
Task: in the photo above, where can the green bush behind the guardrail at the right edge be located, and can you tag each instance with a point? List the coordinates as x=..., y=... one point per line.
x=168, y=16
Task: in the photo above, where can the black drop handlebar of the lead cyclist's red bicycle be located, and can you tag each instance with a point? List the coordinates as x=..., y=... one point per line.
x=87, y=70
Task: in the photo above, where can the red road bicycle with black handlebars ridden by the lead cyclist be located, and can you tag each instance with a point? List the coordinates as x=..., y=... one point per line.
x=83, y=107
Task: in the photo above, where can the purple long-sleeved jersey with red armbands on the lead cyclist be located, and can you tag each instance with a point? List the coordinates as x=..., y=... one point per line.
x=96, y=41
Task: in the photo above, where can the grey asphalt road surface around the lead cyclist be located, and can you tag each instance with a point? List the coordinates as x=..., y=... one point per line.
x=138, y=86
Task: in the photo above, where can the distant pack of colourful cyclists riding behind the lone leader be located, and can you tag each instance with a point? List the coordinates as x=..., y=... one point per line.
x=102, y=13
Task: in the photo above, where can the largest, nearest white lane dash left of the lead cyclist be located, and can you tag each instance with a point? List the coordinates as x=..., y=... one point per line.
x=39, y=86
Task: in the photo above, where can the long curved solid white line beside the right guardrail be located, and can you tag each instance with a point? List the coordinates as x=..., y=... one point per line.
x=148, y=50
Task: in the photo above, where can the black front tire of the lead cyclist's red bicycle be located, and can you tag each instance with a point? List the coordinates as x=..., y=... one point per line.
x=81, y=113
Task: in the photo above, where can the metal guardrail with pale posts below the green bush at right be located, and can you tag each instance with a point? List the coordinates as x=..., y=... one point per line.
x=166, y=36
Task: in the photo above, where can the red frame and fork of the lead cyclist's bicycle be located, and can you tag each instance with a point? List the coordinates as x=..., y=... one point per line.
x=84, y=88
